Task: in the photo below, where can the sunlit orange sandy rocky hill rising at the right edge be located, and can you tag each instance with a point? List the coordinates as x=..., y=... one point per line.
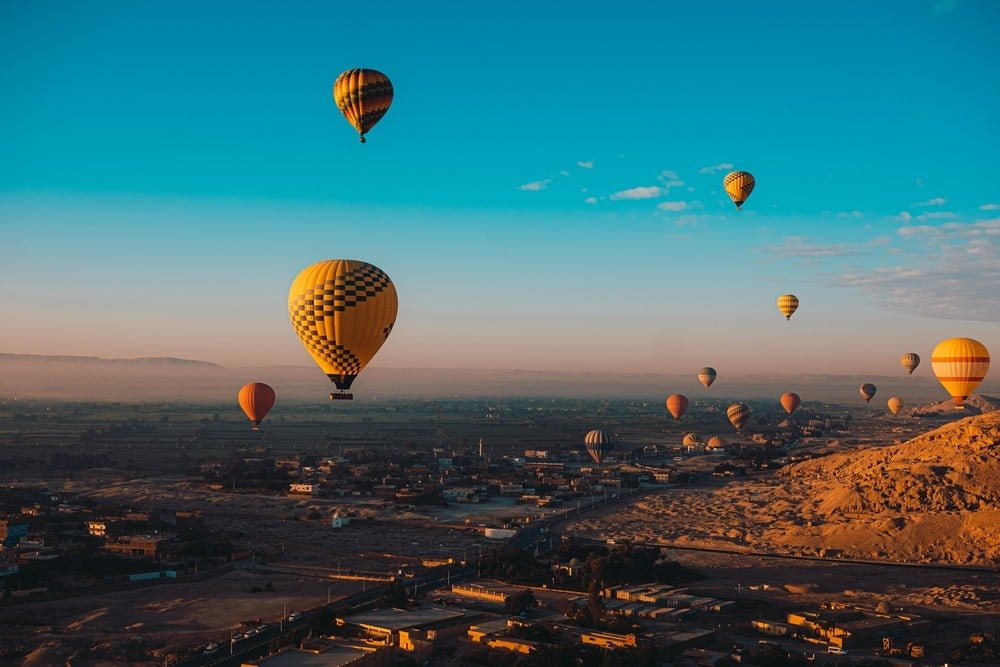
x=935, y=498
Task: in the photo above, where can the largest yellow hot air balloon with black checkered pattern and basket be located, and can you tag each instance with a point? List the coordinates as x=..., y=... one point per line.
x=342, y=311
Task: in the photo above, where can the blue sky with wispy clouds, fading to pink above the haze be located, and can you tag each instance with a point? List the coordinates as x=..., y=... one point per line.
x=545, y=190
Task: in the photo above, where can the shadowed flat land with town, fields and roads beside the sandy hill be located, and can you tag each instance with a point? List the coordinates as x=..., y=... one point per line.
x=427, y=532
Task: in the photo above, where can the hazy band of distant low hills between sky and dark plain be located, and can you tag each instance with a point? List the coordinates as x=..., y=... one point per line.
x=194, y=380
